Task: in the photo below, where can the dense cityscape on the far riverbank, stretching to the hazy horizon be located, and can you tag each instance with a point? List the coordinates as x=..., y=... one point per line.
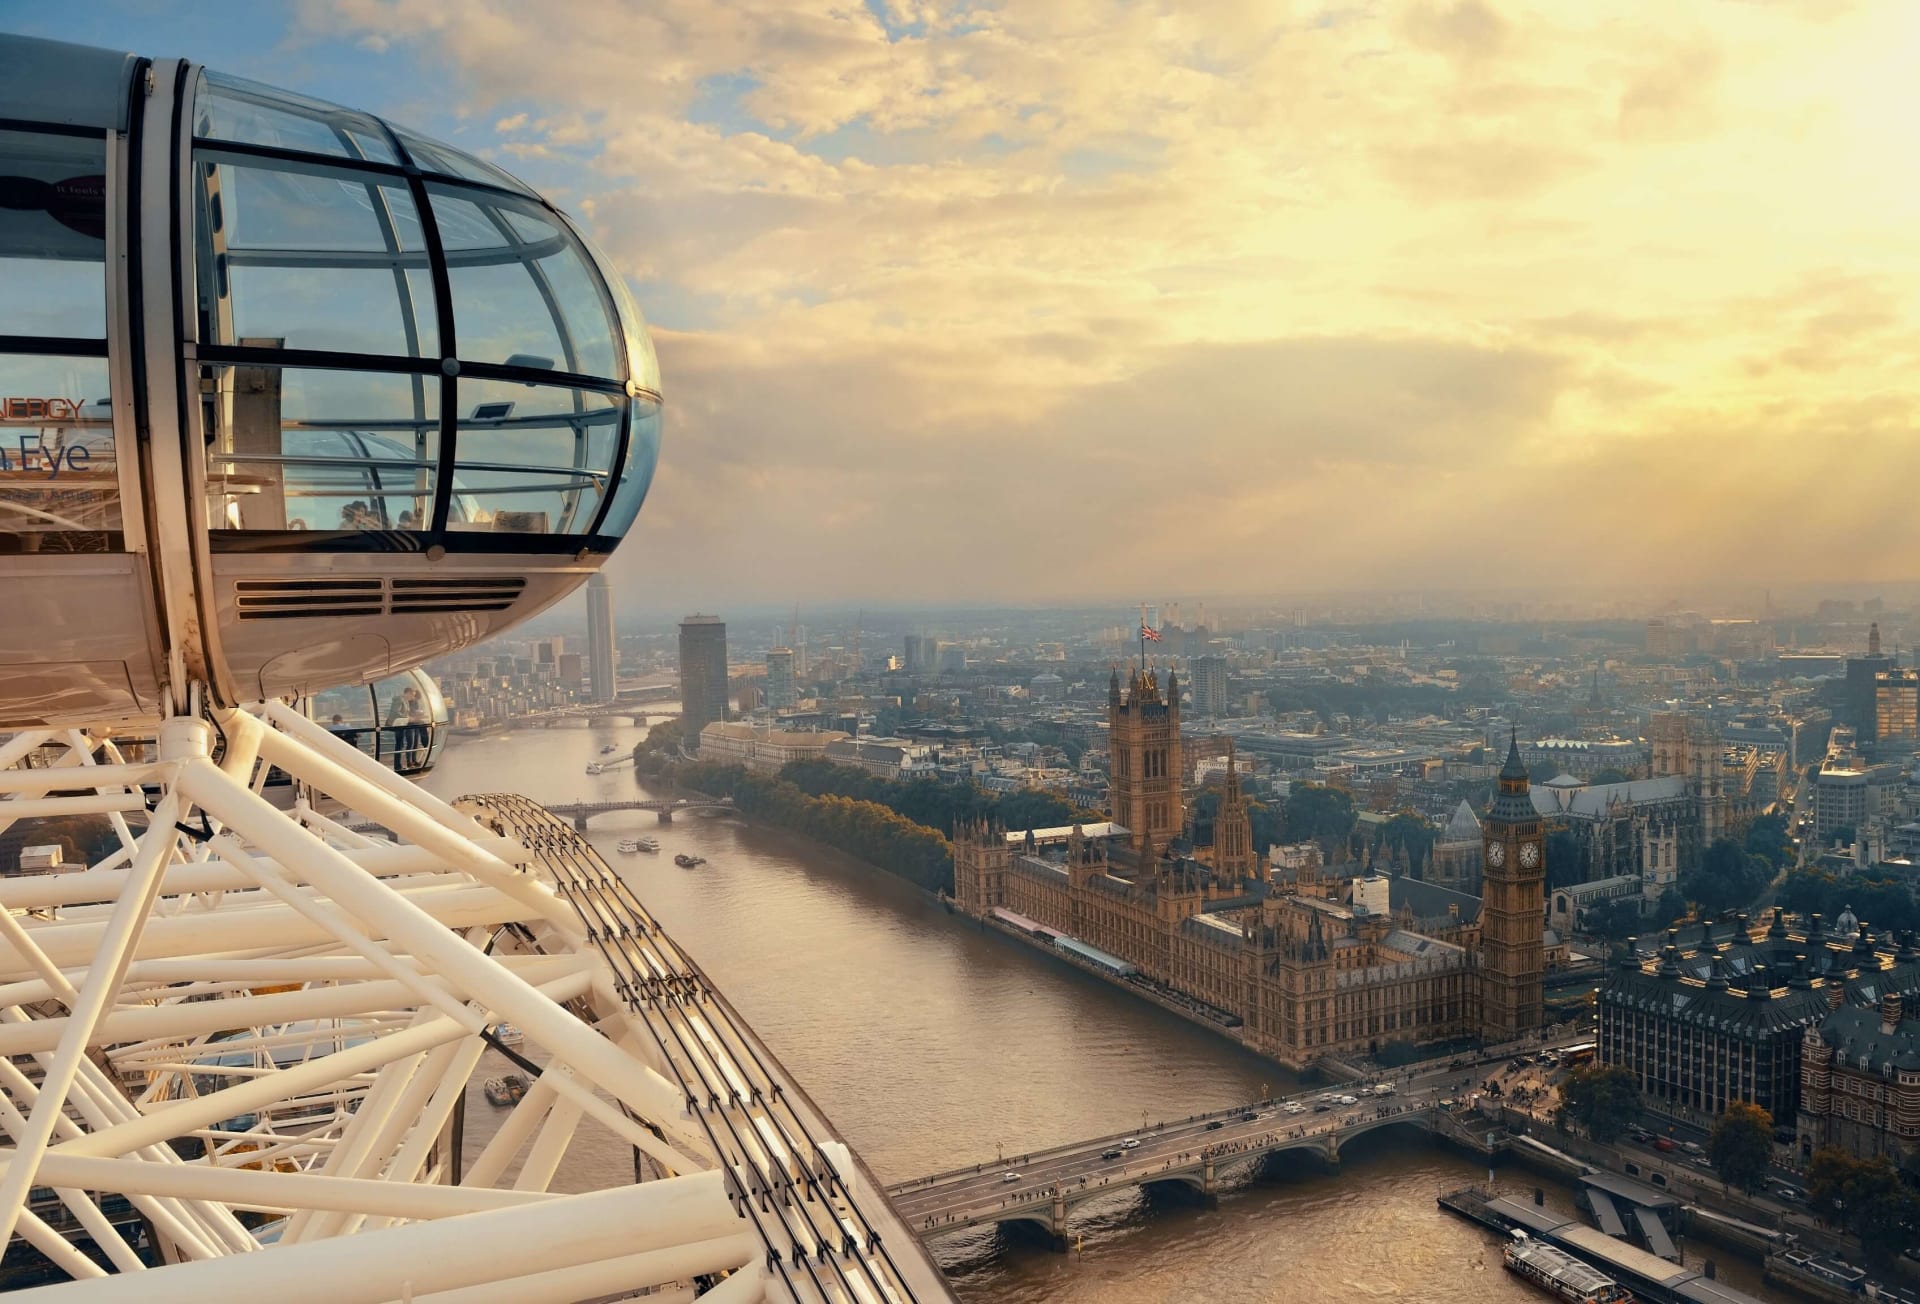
x=1685, y=842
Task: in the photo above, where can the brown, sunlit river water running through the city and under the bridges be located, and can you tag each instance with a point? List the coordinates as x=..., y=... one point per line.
x=932, y=1044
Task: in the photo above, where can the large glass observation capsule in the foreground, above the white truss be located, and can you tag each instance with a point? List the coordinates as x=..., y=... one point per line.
x=291, y=397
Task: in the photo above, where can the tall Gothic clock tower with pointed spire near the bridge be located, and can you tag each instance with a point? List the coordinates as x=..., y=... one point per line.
x=1512, y=909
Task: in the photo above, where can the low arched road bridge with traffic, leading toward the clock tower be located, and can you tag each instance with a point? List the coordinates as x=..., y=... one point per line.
x=1201, y=1153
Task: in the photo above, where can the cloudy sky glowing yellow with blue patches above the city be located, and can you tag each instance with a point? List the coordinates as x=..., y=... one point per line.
x=1026, y=302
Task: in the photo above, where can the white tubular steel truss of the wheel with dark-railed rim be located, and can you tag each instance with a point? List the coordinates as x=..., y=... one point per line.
x=237, y=1051
